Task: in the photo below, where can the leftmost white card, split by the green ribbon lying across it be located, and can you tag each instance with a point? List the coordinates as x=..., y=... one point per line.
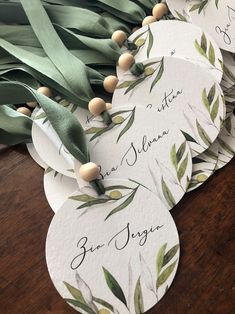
x=49, y=146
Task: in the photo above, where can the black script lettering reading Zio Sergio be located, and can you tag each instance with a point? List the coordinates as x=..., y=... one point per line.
x=118, y=242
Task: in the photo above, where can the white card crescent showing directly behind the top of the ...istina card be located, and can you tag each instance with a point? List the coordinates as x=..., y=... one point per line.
x=179, y=39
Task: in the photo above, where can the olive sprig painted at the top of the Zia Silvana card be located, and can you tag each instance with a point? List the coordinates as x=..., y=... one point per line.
x=119, y=118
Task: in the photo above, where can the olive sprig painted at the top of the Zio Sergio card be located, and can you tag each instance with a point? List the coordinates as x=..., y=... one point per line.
x=119, y=195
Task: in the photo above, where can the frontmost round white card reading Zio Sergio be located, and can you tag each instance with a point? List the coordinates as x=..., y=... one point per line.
x=115, y=253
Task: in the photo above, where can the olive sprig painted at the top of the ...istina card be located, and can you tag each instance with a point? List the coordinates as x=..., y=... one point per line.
x=149, y=73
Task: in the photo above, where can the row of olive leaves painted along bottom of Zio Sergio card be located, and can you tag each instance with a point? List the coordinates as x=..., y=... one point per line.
x=83, y=298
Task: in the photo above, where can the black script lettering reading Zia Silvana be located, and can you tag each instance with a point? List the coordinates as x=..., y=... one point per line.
x=131, y=156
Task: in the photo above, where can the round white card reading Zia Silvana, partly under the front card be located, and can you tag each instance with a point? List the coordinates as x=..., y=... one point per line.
x=141, y=147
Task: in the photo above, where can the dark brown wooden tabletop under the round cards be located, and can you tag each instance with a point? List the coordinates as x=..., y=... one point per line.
x=205, y=282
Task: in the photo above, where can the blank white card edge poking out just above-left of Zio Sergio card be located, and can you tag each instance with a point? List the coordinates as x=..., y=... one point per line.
x=58, y=188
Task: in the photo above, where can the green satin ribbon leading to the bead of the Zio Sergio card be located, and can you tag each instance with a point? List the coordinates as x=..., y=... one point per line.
x=62, y=120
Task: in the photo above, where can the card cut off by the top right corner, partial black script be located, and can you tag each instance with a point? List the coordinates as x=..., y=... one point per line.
x=217, y=17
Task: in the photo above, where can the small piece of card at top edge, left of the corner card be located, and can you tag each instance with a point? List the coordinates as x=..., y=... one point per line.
x=179, y=9
